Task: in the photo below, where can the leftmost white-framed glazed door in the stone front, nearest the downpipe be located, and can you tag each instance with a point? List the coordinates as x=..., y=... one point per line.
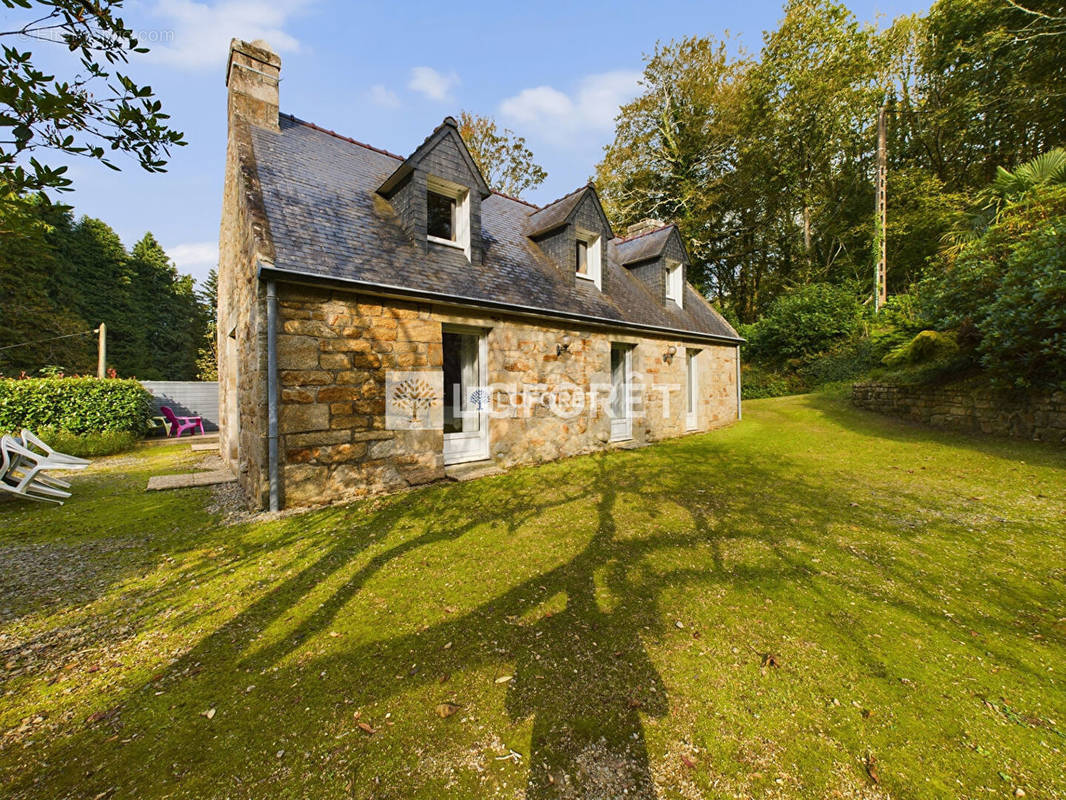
x=466, y=404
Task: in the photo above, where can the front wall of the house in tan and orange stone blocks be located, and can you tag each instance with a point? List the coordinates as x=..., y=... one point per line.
x=335, y=349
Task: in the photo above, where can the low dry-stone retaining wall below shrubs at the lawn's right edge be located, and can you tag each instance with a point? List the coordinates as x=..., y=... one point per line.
x=1035, y=417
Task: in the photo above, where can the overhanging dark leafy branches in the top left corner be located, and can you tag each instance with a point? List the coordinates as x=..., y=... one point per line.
x=96, y=113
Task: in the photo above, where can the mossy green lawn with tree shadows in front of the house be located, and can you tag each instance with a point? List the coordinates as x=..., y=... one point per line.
x=817, y=603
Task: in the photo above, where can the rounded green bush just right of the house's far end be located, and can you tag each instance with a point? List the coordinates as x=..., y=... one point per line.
x=803, y=324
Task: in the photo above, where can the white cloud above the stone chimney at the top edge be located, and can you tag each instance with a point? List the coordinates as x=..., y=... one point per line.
x=196, y=36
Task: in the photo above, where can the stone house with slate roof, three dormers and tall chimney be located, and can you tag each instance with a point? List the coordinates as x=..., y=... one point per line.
x=383, y=319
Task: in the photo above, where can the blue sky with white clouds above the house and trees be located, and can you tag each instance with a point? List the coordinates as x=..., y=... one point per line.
x=387, y=74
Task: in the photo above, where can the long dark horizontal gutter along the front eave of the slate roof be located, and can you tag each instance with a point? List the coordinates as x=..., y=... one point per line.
x=400, y=293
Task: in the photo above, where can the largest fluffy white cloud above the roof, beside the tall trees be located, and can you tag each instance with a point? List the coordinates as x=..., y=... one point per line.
x=592, y=107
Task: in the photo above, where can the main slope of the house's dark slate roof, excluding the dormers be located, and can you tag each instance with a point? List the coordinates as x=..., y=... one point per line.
x=328, y=222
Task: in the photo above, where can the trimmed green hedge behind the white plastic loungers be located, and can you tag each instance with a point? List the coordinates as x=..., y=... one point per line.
x=75, y=405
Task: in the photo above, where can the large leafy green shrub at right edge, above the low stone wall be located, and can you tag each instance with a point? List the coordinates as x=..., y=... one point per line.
x=1005, y=293
